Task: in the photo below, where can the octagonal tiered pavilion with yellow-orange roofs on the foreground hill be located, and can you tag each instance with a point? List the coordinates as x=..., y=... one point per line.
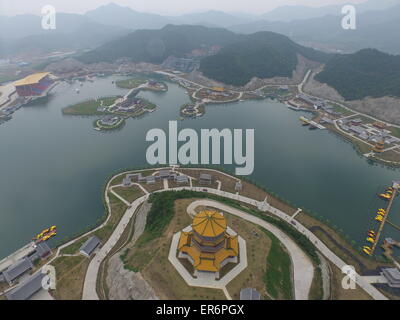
x=209, y=244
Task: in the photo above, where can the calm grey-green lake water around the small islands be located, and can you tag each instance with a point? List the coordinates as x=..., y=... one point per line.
x=53, y=167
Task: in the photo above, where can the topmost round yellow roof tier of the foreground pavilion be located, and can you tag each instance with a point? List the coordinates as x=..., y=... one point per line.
x=209, y=223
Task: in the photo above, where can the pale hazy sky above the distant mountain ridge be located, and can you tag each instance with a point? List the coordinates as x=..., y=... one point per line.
x=171, y=7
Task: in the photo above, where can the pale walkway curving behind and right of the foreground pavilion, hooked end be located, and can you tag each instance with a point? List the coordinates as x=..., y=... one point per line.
x=303, y=269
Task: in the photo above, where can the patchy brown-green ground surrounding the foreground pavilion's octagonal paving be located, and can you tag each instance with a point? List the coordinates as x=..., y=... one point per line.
x=268, y=271
